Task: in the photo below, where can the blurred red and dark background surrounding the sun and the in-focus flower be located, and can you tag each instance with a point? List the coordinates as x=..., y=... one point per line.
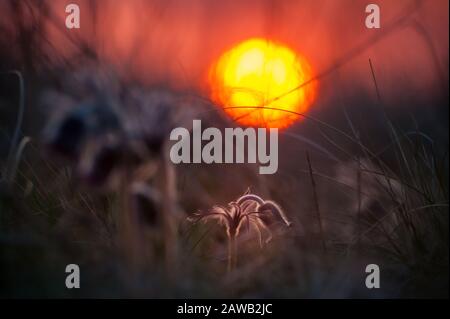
x=85, y=119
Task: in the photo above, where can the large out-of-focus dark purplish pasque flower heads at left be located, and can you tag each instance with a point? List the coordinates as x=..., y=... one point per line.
x=104, y=132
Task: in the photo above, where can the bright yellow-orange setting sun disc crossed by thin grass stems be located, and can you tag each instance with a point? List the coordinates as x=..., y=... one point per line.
x=263, y=76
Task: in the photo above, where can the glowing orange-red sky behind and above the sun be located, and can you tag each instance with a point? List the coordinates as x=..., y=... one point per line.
x=175, y=41
